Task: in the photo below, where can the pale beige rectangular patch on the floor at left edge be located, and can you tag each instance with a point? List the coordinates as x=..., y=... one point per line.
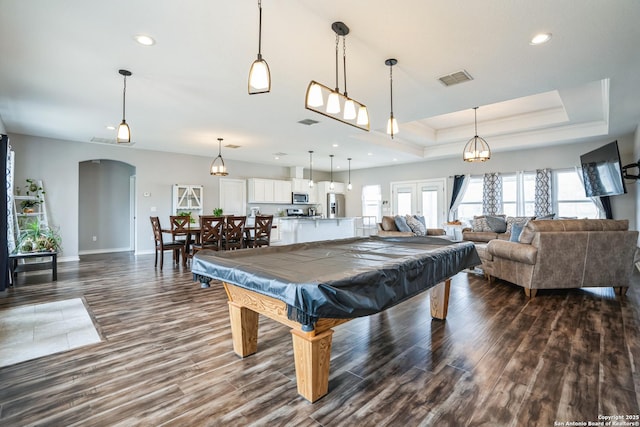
x=36, y=330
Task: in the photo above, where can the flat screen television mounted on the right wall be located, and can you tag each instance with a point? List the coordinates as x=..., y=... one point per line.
x=602, y=171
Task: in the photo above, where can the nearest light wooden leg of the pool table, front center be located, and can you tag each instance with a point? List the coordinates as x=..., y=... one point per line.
x=312, y=354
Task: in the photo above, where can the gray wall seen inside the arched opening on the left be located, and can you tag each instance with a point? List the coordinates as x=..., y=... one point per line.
x=104, y=206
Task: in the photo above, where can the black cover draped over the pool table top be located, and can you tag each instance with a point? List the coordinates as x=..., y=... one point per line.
x=339, y=279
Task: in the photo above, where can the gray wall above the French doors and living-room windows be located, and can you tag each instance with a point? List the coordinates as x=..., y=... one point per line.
x=556, y=157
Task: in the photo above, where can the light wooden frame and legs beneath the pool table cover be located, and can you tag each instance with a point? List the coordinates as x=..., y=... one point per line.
x=311, y=350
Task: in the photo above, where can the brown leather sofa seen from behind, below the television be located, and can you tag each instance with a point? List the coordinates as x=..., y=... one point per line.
x=561, y=254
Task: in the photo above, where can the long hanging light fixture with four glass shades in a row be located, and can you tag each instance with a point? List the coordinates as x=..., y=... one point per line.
x=354, y=113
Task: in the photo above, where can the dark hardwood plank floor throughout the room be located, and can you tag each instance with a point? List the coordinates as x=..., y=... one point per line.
x=166, y=358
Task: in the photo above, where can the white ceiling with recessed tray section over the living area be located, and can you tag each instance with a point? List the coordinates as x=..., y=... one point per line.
x=60, y=59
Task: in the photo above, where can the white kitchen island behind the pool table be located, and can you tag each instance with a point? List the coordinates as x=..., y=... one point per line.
x=312, y=229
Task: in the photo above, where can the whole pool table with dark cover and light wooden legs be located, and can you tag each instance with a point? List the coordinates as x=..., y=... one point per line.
x=315, y=286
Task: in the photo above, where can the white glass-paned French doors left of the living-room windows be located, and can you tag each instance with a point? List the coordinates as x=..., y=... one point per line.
x=427, y=198
